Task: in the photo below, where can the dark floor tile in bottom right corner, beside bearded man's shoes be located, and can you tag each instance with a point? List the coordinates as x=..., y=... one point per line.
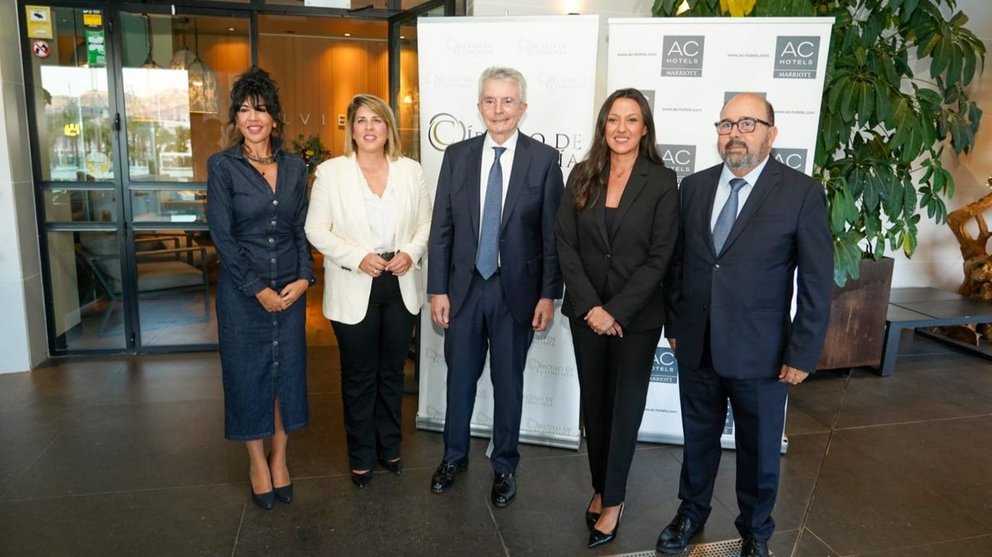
x=864, y=504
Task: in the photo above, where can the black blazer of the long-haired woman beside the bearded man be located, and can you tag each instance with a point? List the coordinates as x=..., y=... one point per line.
x=633, y=262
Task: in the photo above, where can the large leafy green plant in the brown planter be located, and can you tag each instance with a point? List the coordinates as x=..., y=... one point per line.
x=895, y=98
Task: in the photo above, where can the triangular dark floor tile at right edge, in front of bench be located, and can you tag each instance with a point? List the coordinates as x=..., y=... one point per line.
x=950, y=458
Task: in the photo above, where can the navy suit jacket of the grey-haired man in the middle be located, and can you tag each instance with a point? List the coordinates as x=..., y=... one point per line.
x=528, y=258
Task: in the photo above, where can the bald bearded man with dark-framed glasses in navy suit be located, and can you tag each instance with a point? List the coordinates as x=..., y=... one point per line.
x=752, y=228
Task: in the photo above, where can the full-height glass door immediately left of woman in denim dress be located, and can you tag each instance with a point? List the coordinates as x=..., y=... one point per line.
x=174, y=71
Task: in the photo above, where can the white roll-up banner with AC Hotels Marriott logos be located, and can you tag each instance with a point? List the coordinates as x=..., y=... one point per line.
x=688, y=68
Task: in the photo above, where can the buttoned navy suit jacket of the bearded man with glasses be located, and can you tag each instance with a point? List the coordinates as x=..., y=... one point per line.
x=745, y=293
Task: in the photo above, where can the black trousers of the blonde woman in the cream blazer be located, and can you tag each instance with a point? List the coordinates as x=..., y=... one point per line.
x=373, y=352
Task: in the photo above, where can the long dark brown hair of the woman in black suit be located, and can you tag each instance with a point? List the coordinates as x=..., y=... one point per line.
x=589, y=176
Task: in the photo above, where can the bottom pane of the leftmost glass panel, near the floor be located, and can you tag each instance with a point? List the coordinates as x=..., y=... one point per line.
x=87, y=310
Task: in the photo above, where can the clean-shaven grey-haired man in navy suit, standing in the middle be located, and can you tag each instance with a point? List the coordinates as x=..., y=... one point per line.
x=493, y=272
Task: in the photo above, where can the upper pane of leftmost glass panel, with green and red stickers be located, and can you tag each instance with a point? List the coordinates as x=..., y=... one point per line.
x=71, y=102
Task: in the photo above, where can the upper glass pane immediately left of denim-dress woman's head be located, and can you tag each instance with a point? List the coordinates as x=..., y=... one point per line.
x=177, y=72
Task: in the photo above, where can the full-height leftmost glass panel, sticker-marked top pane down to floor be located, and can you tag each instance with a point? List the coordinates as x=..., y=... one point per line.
x=78, y=178
